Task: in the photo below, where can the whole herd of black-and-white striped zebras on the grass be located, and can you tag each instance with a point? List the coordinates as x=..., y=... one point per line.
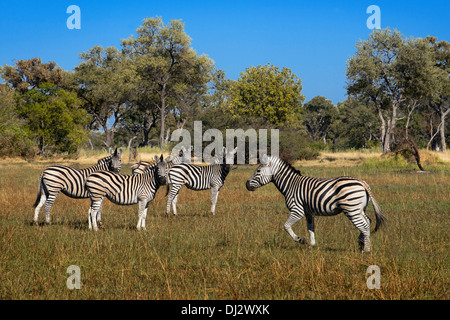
x=305, y=196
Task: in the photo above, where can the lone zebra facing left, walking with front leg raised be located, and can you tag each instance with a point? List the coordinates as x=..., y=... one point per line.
x=308, y=196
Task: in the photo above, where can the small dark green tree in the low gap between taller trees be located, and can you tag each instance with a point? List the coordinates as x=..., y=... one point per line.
x=318, y=116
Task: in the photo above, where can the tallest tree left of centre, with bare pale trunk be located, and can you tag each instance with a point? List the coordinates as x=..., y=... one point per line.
x=170, y=72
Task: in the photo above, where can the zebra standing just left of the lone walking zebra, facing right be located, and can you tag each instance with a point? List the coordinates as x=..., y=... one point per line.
x=197, y=177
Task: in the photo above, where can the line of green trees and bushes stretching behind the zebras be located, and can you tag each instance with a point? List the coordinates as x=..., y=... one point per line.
x=137, y=95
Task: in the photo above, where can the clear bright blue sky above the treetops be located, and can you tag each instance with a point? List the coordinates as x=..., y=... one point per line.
x=313, y=38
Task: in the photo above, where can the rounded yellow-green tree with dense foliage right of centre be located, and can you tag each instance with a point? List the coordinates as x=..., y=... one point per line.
x=268, y=93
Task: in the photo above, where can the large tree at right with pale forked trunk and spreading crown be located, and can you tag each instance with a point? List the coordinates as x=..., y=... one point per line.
x=398, y=75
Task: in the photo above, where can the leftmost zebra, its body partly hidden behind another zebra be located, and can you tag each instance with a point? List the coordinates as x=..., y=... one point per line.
x=69, y=181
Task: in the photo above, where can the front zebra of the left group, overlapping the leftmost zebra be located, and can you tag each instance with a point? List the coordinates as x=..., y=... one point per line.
x=125, y=190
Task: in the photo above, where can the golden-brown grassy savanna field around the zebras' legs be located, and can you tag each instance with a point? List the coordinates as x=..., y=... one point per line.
x=240, y=253
